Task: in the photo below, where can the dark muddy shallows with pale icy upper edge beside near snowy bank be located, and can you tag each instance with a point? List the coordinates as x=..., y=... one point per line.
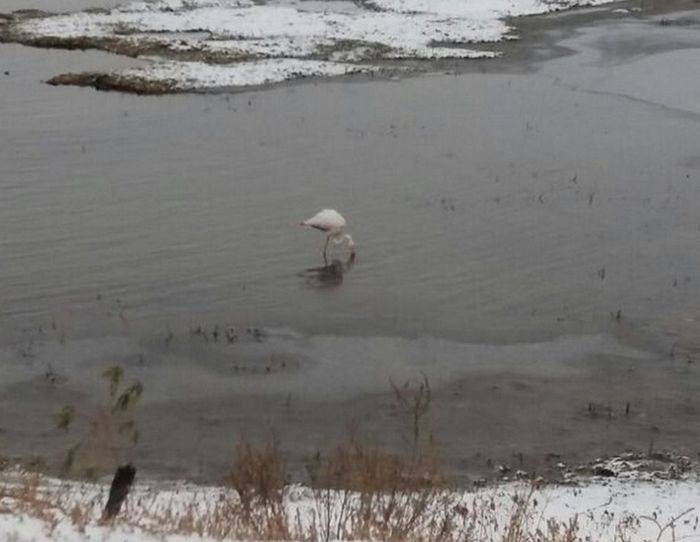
x=604, y=400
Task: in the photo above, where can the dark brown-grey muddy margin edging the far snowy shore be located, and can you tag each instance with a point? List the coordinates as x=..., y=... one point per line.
x=534, y=42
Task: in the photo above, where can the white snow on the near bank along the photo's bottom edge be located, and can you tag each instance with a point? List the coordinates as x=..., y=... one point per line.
x=45, y=509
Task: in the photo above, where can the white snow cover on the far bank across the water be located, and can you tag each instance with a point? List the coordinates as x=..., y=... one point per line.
x=236, y=38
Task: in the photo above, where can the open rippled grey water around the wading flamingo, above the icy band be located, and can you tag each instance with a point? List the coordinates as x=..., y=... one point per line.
x=485, y=206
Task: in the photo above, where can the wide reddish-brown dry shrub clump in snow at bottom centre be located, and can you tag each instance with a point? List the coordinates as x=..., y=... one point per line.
x=362, y=494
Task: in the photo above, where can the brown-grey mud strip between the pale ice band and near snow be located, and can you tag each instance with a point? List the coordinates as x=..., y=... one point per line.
x=487, y=425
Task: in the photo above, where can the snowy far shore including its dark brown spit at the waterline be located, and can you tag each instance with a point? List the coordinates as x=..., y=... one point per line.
x=203, y=66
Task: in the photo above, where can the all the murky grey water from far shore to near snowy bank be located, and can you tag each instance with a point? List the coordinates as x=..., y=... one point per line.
x=543, y=223
